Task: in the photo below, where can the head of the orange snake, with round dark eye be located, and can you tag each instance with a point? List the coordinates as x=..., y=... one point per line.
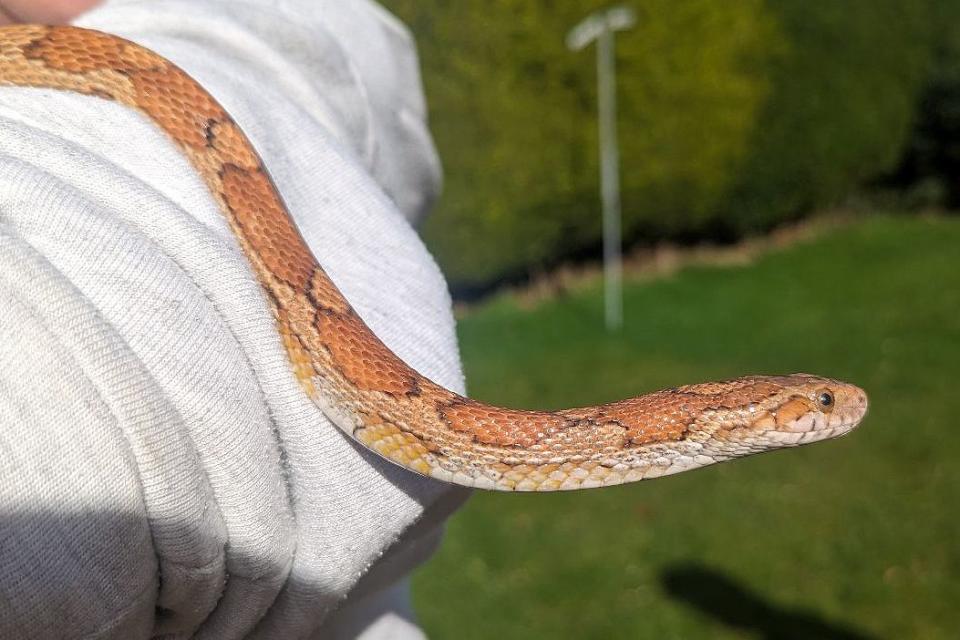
x=806, y=409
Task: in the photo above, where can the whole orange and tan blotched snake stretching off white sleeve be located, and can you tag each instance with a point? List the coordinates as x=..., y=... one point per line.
x=359, y=383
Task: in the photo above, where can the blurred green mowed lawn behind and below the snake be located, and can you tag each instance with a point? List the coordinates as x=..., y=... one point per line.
x=852, y=538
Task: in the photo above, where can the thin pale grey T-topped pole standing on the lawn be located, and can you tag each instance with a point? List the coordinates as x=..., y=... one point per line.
x=600, y=27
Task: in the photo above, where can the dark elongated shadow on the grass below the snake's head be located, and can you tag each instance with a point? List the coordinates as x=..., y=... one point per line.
x=719, y=596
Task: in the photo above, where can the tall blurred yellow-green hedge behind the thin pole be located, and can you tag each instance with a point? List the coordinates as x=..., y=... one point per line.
x=733, y=117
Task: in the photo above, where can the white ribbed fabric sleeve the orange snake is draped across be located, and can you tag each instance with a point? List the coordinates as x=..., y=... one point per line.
x=164, y=470
